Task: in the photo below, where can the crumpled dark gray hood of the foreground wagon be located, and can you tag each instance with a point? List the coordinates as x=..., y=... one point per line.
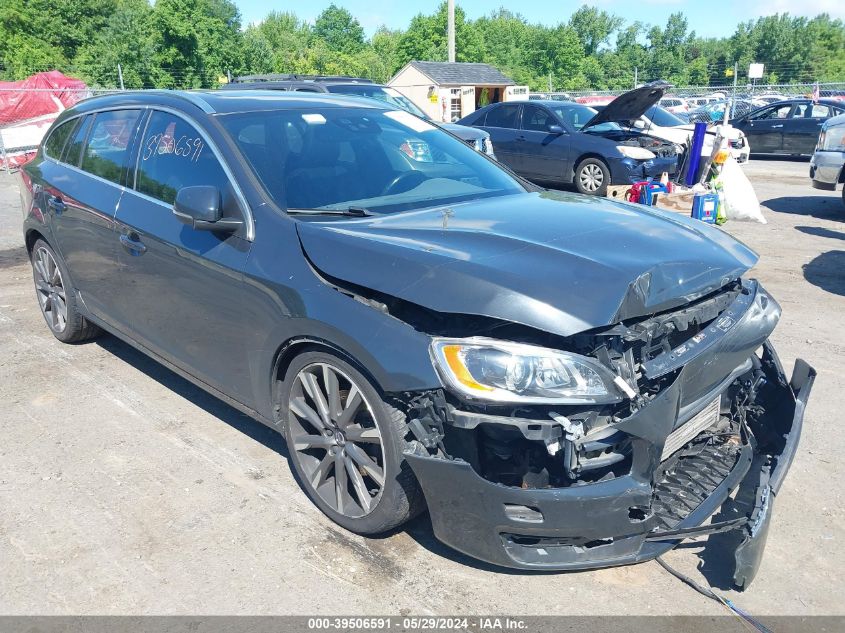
x=559, y=262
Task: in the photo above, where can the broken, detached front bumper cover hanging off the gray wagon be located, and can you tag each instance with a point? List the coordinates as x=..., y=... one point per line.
x=630, y=518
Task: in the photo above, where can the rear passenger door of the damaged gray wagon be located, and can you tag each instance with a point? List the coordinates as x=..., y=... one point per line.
x=82, y=194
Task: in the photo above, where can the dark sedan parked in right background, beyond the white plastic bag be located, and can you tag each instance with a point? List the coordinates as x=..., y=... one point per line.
x=787, y=127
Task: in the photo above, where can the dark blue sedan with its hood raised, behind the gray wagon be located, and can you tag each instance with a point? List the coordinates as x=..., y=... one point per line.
x=564, y=143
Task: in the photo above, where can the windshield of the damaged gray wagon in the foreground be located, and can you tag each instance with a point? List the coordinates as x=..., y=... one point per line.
x=379, y=160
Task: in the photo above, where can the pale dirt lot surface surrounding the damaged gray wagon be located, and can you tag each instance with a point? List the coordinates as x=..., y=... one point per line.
x=124, y=489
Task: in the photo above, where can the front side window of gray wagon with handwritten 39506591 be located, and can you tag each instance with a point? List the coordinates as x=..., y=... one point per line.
x=173, y=155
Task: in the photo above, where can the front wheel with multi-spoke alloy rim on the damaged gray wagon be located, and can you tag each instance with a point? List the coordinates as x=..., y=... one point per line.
x=345, y=444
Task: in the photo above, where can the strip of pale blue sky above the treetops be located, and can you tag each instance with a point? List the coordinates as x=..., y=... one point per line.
x=708, y=18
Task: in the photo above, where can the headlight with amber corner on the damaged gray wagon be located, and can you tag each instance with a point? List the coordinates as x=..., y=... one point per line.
x=499, y=371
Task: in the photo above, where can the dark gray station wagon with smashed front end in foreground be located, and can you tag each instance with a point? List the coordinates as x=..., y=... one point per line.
x=563, y=382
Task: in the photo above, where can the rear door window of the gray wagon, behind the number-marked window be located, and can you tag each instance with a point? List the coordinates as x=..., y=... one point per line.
x=107, y=146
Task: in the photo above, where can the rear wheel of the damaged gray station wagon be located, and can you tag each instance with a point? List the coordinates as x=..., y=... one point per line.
x=56, y=297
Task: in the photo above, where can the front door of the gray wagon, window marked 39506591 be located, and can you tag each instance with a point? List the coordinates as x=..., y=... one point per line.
x=182, y=294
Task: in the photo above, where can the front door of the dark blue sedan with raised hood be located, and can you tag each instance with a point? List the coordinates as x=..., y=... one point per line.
x=545, y=156
